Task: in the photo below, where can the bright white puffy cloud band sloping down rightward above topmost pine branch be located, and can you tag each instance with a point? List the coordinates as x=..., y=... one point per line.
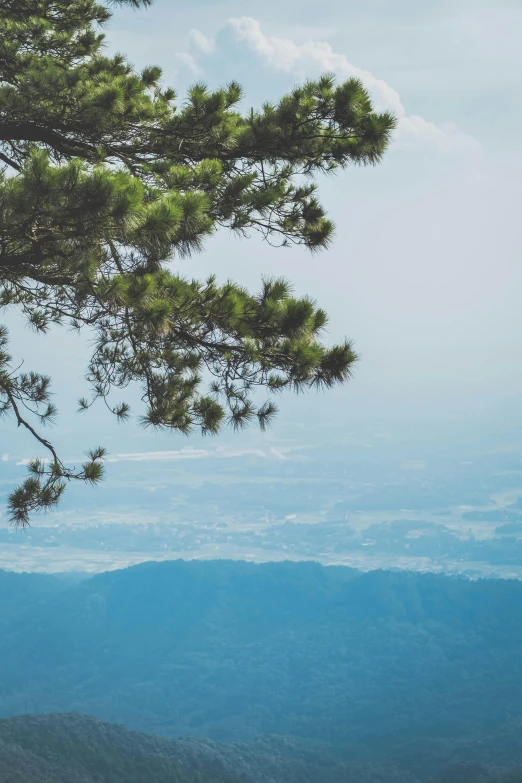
x=314, y=57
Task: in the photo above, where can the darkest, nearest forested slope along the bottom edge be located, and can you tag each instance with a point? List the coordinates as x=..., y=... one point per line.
x=77, y=749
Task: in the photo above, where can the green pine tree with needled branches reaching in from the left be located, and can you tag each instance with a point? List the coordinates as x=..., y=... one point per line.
x=106, y=178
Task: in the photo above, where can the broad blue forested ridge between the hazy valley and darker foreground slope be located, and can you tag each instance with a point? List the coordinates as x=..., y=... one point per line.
x=408, y=670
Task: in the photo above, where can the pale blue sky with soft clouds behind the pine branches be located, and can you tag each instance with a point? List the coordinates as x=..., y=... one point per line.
x=425, y=271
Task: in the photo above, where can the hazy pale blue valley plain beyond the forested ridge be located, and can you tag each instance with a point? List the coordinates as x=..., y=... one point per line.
x=364, y=499
